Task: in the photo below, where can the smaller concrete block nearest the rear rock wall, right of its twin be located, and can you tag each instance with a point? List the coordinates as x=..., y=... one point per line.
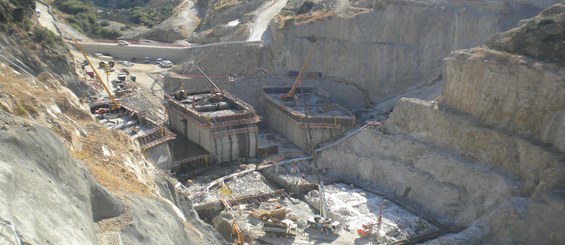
x=326, y=120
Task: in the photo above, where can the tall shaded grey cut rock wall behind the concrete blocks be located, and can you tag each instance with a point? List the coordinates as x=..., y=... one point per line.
x=395, y=44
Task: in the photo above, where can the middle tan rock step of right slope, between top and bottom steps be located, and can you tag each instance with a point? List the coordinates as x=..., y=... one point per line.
x=455, y=132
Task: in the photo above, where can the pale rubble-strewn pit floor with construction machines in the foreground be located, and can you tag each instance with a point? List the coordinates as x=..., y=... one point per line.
x=240, y=191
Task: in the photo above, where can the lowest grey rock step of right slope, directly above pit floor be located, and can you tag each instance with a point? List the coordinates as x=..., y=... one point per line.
x=425, y=175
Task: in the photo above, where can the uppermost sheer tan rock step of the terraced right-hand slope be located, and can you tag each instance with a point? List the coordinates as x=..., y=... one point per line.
x=507, y=91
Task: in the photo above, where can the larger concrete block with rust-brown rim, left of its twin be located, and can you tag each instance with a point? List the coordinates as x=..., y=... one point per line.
x=221, y=124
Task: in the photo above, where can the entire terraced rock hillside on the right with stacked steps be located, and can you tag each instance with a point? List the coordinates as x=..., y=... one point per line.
x=487, y=157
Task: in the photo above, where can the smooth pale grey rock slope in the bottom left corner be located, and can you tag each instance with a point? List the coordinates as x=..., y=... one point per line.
x=49, y=181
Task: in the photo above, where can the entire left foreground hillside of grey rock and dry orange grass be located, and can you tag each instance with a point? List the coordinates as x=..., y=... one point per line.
x=66, y=178
